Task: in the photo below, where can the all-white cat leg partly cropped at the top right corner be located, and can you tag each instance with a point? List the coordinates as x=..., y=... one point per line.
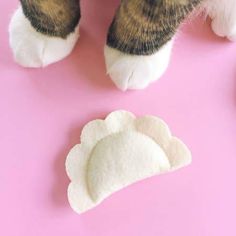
x=223, y=15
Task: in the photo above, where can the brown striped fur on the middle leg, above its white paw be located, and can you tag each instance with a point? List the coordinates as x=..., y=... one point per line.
x=141, y=27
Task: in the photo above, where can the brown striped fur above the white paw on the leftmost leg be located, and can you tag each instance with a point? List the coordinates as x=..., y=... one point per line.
x=52, y=17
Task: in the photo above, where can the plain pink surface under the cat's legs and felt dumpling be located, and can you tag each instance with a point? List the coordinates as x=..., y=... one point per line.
x=42, y=112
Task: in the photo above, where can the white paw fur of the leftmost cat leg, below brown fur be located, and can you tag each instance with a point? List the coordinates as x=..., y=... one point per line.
x=34, y=49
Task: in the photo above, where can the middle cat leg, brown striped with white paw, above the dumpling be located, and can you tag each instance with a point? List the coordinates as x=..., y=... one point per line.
x=140, y=40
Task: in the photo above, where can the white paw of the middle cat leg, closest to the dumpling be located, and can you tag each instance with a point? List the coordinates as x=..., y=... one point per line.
x=136, y=72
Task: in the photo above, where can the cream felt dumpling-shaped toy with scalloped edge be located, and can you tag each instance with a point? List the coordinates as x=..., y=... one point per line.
x=117, y=152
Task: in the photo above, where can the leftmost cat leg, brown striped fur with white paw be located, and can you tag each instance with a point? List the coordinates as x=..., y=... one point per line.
x=44, y=31
